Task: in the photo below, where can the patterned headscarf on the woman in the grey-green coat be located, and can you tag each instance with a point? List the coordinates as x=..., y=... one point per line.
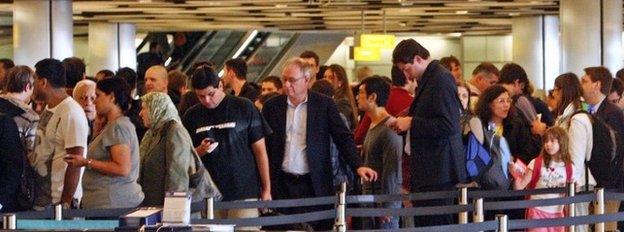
x=161, y=111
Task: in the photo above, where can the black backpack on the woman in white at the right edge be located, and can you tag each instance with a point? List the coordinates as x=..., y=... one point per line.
x=606, y=163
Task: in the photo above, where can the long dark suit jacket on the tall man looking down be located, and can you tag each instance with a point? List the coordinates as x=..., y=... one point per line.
x=435, y=134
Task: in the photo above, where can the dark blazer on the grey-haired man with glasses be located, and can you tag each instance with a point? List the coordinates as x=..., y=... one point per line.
x=323, y=122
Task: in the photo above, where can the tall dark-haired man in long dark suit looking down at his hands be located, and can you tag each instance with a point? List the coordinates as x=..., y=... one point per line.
x=432, y=124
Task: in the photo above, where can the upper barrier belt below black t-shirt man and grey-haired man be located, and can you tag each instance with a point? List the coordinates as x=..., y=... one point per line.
x=329, y=200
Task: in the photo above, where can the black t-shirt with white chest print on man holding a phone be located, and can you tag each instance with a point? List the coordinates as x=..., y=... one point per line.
x=235, y=124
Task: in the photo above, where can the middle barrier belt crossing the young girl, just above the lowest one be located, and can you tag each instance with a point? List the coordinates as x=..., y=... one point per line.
x=500, y=205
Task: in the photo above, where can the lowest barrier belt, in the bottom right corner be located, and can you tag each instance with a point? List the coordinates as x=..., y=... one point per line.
x=579, y=220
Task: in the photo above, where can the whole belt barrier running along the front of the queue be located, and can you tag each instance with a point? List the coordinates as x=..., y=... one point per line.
x=377, y=212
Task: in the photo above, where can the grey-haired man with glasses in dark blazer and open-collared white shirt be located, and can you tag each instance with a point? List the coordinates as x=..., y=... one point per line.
x=303, y=123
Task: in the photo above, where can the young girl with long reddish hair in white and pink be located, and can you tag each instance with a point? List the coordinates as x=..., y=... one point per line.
x=551, y=169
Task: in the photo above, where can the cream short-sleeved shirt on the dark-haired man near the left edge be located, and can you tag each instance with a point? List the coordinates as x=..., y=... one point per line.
x=67, y=127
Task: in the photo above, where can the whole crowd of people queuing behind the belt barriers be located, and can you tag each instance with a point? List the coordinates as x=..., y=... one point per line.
x=119, y=139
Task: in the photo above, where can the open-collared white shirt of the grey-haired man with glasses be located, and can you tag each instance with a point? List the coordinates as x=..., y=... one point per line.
x=295, y=156
